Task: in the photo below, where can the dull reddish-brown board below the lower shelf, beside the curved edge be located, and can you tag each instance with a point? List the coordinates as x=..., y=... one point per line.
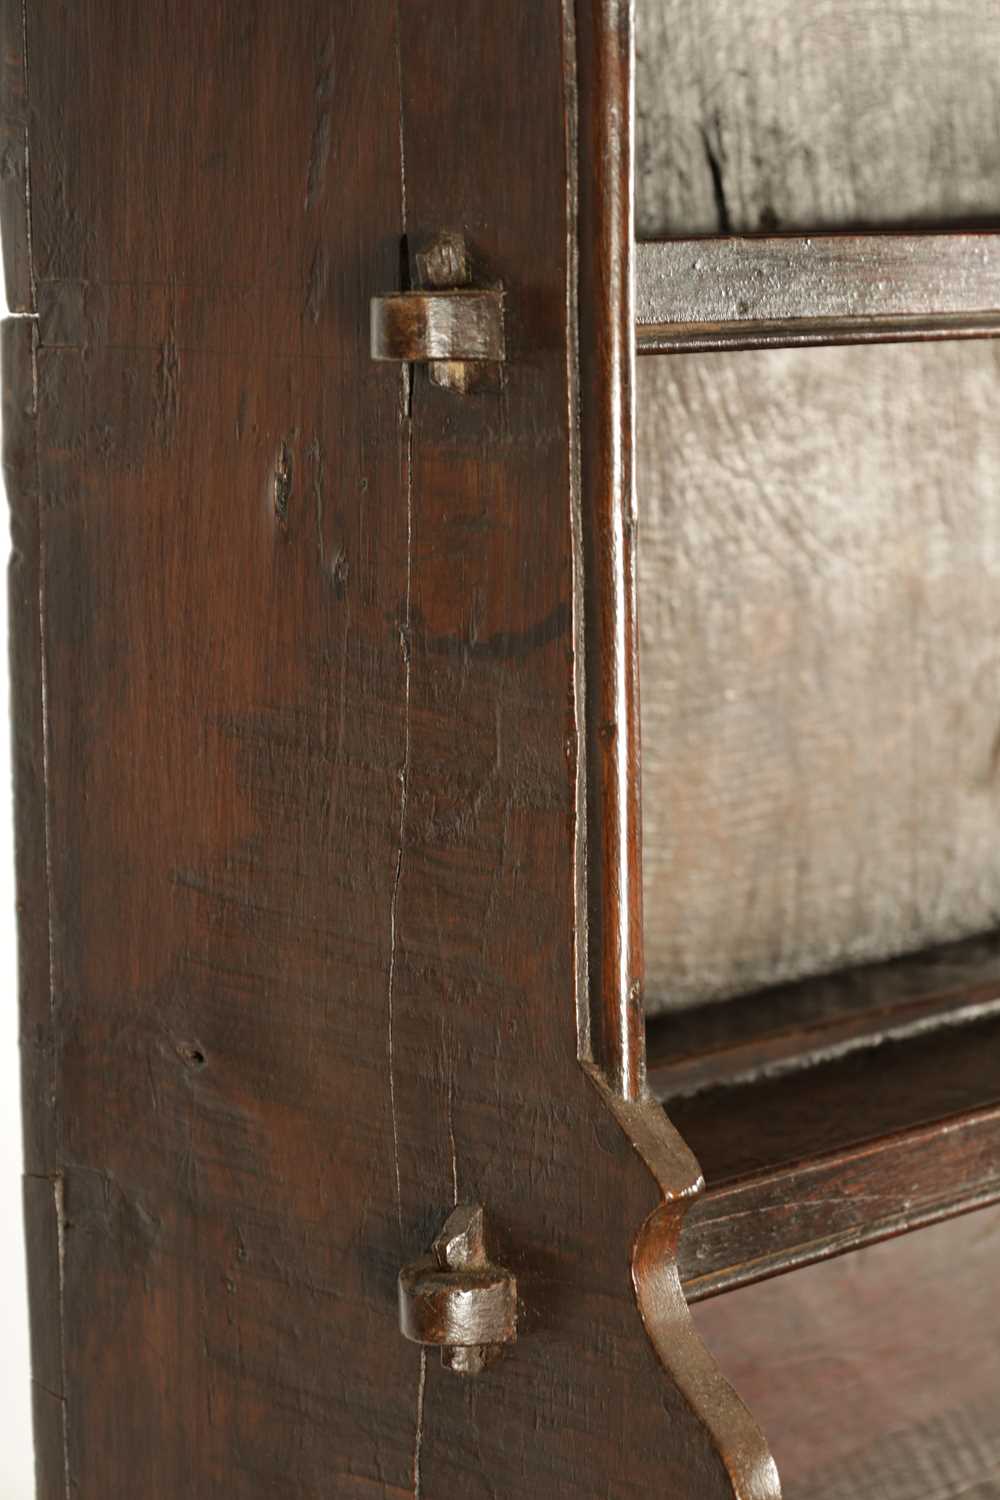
x=878, y=1373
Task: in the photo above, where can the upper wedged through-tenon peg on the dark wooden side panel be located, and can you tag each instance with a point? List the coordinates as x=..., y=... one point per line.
x=446, y=323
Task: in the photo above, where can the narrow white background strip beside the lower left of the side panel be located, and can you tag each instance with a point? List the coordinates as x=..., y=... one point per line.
x=17, y=1477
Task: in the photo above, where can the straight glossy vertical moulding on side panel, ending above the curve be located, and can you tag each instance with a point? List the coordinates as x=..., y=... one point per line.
x=608, y=496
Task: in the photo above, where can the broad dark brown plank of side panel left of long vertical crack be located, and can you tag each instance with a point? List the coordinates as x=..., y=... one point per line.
x=206, y=445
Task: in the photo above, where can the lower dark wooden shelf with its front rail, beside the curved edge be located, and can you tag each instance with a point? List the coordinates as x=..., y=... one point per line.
x=834, y=1114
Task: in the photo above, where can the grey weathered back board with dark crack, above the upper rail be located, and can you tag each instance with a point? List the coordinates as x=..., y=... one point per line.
x=773, y=115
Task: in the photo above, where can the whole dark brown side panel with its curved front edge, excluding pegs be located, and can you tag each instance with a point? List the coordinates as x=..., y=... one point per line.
x=311, y=851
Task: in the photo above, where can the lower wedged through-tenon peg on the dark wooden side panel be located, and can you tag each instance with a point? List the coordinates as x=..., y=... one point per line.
x=458, y=1300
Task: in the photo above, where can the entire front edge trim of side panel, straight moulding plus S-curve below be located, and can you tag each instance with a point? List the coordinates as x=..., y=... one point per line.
x=731, y=1447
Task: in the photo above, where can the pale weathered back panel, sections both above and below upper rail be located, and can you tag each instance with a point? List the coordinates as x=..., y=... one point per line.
x=821, y=548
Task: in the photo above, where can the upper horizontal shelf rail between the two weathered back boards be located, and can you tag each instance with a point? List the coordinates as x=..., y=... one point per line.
x=788, y=290
